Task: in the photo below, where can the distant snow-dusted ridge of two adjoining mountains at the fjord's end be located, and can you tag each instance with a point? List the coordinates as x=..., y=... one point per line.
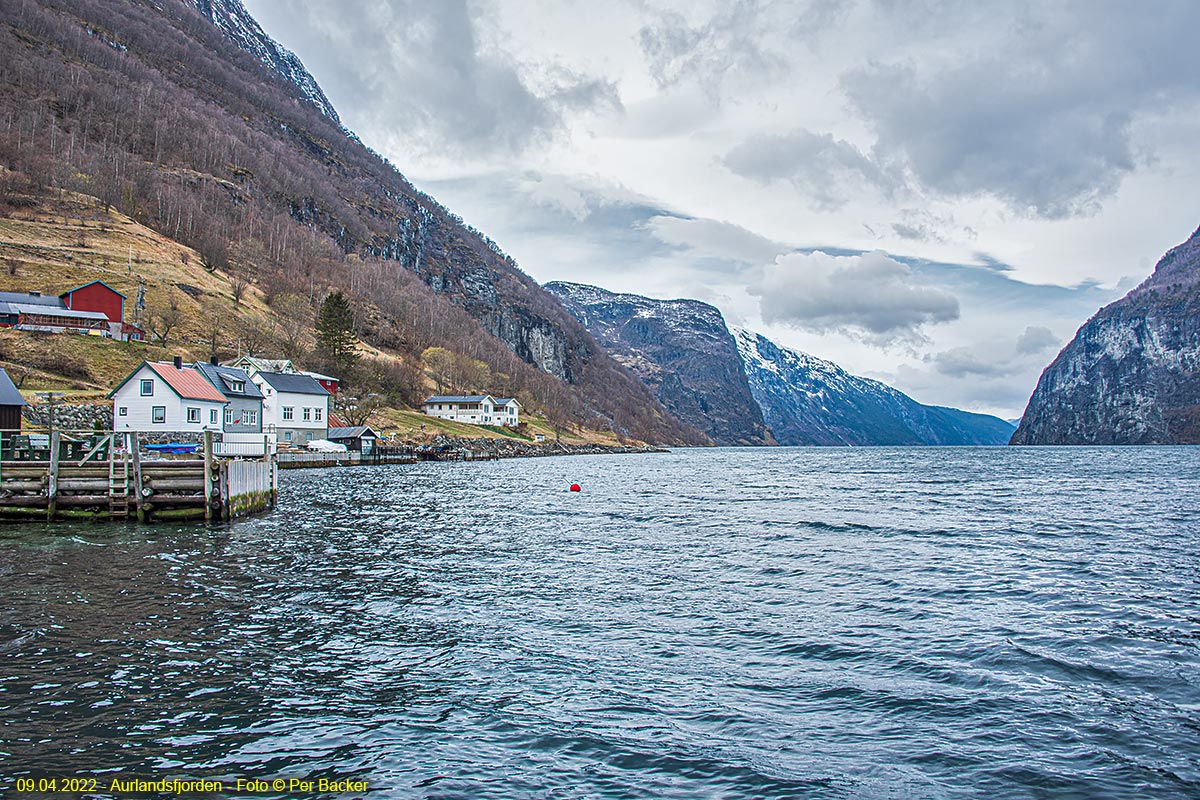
x=742, y=389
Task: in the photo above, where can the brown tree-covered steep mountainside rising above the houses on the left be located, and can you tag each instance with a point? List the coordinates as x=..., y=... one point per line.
x=169, y=112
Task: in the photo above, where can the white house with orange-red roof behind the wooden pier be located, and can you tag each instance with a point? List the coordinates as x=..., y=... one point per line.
x=169, y=398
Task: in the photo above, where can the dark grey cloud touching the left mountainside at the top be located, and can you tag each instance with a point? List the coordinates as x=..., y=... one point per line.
x=421, y=71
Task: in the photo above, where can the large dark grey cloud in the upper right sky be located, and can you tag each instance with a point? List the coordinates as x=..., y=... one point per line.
x=1036, y=109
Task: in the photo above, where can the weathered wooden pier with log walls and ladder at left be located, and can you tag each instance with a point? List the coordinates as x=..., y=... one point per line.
x=107, y=477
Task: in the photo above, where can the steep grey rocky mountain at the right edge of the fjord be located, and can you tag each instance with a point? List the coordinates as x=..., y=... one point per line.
x=1132, y=374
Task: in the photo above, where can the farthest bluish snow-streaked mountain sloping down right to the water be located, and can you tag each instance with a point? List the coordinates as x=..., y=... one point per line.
x=808, y=401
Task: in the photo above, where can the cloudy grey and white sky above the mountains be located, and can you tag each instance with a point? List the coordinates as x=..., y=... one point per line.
x=935, y=195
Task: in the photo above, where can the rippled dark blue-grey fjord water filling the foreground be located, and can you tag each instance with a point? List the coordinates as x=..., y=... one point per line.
x=795, y=623
